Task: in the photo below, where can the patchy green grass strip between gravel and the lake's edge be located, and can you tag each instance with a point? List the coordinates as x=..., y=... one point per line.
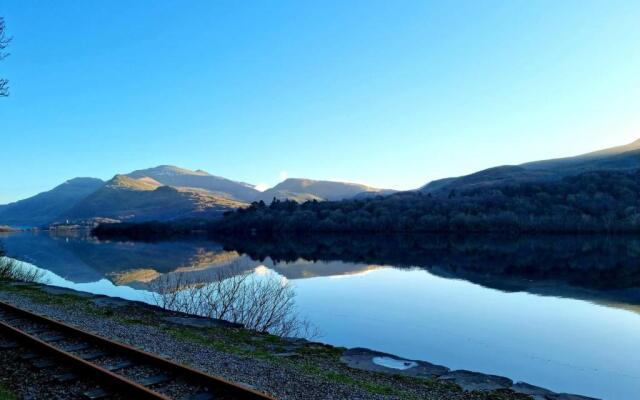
x=317, y=362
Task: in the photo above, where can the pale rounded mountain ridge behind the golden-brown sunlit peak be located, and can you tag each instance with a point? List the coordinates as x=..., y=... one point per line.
x=169, y=175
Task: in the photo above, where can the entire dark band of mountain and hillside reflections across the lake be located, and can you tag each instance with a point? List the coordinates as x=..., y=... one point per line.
x=604, y=269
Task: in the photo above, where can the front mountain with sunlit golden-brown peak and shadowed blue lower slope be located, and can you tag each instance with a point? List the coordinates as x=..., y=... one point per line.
x=144, y=199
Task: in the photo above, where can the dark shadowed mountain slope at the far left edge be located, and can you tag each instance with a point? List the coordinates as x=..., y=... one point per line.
x=47, y=206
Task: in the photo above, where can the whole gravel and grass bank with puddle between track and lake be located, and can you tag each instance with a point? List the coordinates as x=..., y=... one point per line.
x=287, y=368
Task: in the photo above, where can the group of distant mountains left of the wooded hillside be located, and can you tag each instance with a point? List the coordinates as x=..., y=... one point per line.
x=161, y=193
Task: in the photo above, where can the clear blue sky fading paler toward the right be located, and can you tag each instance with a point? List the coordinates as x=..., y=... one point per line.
x=389, y=93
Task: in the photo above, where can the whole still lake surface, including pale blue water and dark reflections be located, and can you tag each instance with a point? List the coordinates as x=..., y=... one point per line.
x=558, y=312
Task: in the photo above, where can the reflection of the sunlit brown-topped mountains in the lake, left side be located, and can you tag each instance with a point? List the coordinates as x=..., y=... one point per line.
x=81, y=258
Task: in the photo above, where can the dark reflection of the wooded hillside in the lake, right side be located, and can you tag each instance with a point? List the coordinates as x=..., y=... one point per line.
x=604, y=269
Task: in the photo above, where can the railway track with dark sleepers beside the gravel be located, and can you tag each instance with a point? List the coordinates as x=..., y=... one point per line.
x=122, y=371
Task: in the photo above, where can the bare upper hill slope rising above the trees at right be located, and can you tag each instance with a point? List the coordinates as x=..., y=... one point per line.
x=621, y=158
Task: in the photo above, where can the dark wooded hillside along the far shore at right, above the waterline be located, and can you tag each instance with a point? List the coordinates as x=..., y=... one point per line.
x=601, y=201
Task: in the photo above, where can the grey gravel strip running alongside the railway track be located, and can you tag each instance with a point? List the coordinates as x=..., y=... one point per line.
x=282, y=380
